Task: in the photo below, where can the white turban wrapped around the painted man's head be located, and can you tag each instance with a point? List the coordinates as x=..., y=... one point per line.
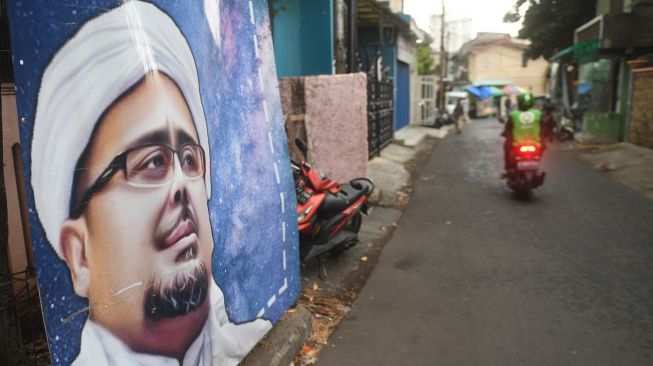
x=107, y=56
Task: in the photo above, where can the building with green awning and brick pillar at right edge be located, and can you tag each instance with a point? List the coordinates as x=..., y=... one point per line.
x=603, y=79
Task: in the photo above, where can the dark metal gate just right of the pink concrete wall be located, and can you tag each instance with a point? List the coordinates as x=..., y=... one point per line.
x=380, y=108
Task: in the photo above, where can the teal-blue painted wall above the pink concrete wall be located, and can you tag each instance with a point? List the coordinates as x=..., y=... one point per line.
x=303, y=37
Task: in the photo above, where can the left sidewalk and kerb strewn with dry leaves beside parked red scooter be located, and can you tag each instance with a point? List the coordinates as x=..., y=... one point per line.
x=329, y=301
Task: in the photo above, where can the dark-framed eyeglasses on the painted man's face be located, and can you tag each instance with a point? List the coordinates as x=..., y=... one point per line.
x=146, y=166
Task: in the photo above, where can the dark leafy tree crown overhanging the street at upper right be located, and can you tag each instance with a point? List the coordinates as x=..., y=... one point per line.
x=550, y=24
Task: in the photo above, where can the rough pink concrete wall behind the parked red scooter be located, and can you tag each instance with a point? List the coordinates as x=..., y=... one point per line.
x=335, y=121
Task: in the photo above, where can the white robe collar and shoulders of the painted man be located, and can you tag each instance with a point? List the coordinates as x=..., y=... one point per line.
x=220, y=342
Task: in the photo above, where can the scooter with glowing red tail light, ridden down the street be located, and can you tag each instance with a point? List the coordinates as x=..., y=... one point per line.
x=525, y=174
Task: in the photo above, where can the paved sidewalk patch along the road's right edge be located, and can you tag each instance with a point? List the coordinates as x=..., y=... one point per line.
x=629, y=164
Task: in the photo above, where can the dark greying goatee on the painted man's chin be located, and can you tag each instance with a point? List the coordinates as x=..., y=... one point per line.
x=177, y=294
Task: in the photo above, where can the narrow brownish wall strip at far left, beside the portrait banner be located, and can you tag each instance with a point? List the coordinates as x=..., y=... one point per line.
x=17, y=252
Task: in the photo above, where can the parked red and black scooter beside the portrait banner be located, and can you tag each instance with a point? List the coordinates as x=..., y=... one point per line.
x=328, y=213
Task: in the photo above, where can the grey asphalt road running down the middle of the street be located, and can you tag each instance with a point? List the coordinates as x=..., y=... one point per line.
x=474, y=276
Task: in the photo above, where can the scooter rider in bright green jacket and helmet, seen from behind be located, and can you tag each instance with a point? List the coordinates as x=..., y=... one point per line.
x=523, y=125
